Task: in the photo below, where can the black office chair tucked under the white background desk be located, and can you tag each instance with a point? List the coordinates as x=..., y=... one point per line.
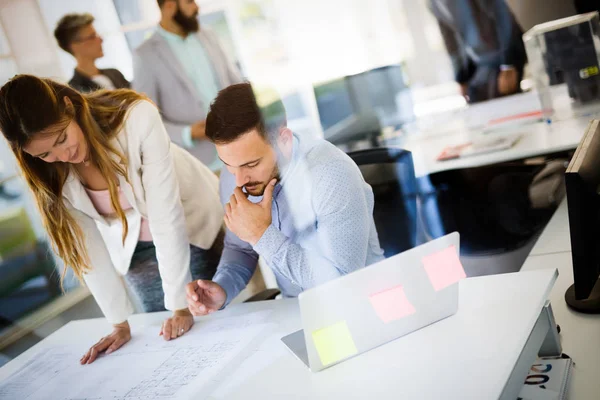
x=490, y=207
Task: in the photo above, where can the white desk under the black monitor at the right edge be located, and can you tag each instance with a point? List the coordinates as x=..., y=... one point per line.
x=580, y=333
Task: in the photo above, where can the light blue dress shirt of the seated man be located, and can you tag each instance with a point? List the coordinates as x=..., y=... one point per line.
x=322, y=226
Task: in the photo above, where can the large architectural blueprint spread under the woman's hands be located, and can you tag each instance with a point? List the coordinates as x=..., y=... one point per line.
x=146, y=368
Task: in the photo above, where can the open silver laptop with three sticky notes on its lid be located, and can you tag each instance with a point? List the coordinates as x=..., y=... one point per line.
x=372, y=306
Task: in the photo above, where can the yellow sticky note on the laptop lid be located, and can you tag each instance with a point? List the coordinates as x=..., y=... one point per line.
x=334, y=343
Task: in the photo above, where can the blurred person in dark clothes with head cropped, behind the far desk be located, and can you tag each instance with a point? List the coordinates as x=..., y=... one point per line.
x=484, y=41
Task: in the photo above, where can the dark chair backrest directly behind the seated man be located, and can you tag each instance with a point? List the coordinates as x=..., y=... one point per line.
x=390, y=172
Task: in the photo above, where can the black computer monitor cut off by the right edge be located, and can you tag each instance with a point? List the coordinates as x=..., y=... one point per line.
x=583, y=184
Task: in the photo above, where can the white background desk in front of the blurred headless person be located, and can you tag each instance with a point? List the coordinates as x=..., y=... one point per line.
x=429, y=138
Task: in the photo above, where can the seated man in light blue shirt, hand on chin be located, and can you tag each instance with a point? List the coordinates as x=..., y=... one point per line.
x=302, y=205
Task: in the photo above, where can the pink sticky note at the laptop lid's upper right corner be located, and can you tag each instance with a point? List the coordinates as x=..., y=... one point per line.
x=443, y=268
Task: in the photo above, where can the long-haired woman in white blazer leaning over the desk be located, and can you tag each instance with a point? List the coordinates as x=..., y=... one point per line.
x=123, y=207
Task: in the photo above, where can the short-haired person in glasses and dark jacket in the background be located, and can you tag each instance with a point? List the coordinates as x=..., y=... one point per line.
x=76, y=35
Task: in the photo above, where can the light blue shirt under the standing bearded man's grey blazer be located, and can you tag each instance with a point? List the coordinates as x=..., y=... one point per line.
x=192, y=56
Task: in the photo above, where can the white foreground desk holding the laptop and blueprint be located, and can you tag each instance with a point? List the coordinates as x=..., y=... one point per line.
x=446, y=360
